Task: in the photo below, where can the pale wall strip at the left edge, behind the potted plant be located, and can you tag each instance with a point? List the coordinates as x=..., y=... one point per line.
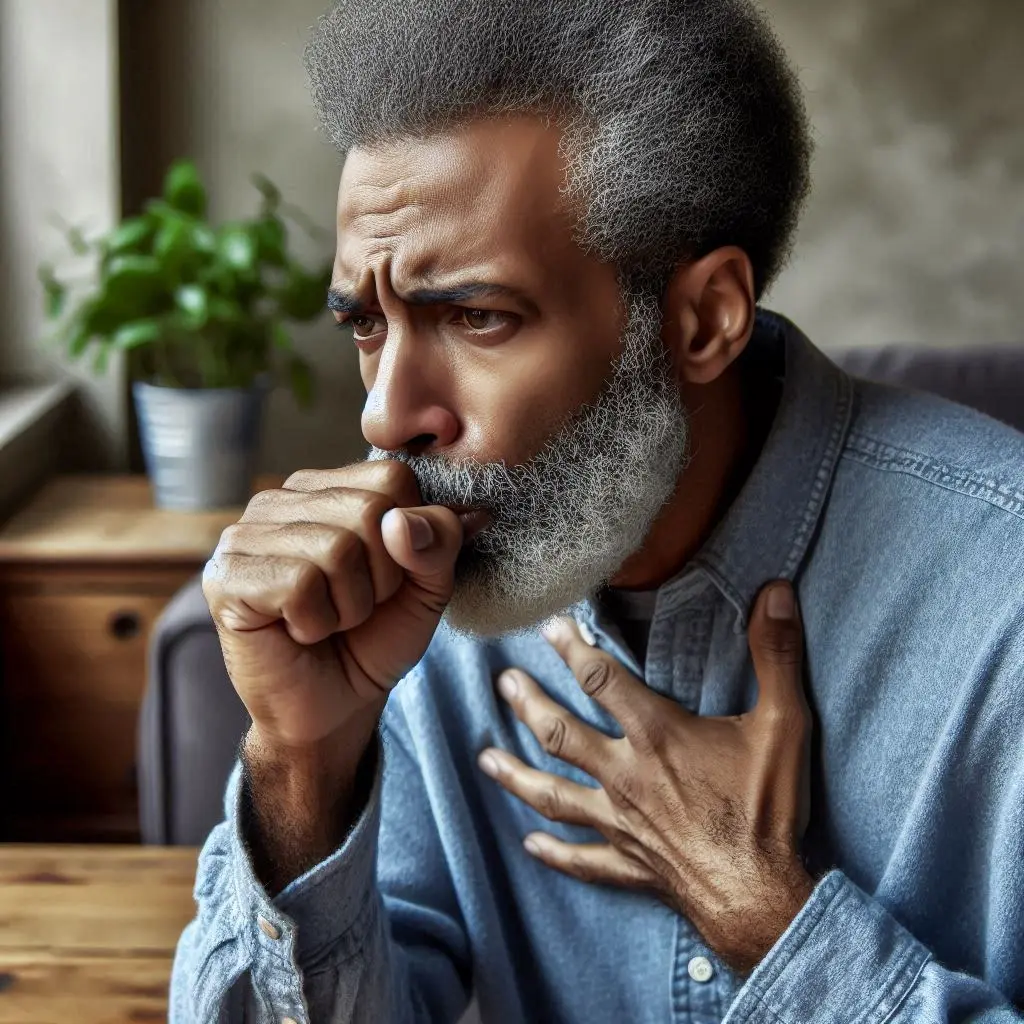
x=60, y=156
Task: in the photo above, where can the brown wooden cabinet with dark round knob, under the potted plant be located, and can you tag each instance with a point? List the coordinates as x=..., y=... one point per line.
x=86, y=571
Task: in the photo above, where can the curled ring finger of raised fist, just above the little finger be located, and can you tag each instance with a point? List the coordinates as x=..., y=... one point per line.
x=339, y=553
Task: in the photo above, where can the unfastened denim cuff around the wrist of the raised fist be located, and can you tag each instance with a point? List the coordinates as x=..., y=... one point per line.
x=326, y=912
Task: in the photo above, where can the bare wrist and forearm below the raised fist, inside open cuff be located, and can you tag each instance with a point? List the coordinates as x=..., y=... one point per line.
x=298, y=805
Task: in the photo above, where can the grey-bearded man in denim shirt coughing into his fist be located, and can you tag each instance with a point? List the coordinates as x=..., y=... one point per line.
x=554, y=223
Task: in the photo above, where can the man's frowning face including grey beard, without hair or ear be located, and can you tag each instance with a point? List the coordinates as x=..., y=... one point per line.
x=502, y=364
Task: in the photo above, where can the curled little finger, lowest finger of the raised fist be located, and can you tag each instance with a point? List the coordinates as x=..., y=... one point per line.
x=247, y=594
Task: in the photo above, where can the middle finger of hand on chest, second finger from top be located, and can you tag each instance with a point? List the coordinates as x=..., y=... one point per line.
x=557, y=729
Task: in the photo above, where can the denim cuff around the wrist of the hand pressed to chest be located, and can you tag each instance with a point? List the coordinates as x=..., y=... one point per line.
x=843, y=958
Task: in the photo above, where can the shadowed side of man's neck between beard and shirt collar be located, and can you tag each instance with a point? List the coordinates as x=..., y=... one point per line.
x=726, y=440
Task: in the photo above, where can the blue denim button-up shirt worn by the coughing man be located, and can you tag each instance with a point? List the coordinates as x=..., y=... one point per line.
x=901, y=518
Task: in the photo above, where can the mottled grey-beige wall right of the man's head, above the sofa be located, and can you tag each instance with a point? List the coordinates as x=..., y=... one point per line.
x=916, y=228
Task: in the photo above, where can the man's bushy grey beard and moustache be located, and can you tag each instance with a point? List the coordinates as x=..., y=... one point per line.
x=566, y=522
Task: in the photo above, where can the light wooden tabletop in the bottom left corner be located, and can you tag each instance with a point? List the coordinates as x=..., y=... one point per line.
x=88, y=934
